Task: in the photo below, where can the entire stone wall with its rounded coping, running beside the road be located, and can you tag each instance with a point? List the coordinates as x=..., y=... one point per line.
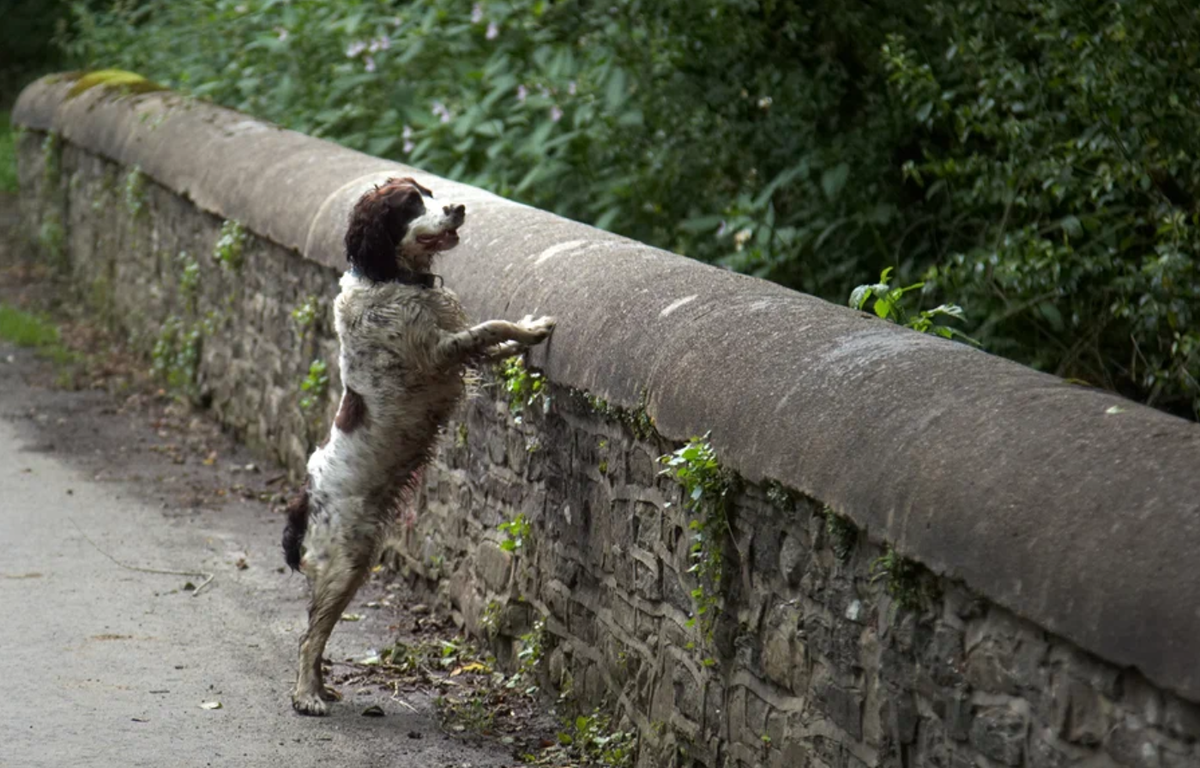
x=826, y=647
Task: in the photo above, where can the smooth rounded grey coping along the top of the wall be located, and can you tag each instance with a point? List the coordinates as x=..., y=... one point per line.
x=1071, y=507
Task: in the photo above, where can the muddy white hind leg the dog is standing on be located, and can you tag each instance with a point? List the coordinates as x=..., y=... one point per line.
x=333, y=590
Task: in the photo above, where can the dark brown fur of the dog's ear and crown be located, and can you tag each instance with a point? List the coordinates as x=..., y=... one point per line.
x=379, y=223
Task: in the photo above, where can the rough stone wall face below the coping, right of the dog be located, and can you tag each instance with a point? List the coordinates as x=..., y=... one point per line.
x=813, y=662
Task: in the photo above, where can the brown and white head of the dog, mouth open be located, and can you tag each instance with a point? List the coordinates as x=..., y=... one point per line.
x=398, y=227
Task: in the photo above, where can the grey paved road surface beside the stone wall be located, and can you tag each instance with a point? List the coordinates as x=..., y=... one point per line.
x=109, y=667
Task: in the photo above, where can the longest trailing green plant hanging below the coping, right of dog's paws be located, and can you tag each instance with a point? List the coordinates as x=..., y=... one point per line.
x=706, y=489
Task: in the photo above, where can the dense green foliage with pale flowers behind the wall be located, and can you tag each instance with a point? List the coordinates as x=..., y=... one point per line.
x=1033, y=160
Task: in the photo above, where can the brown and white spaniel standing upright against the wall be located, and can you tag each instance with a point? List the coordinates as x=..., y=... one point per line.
x=406, y=346
